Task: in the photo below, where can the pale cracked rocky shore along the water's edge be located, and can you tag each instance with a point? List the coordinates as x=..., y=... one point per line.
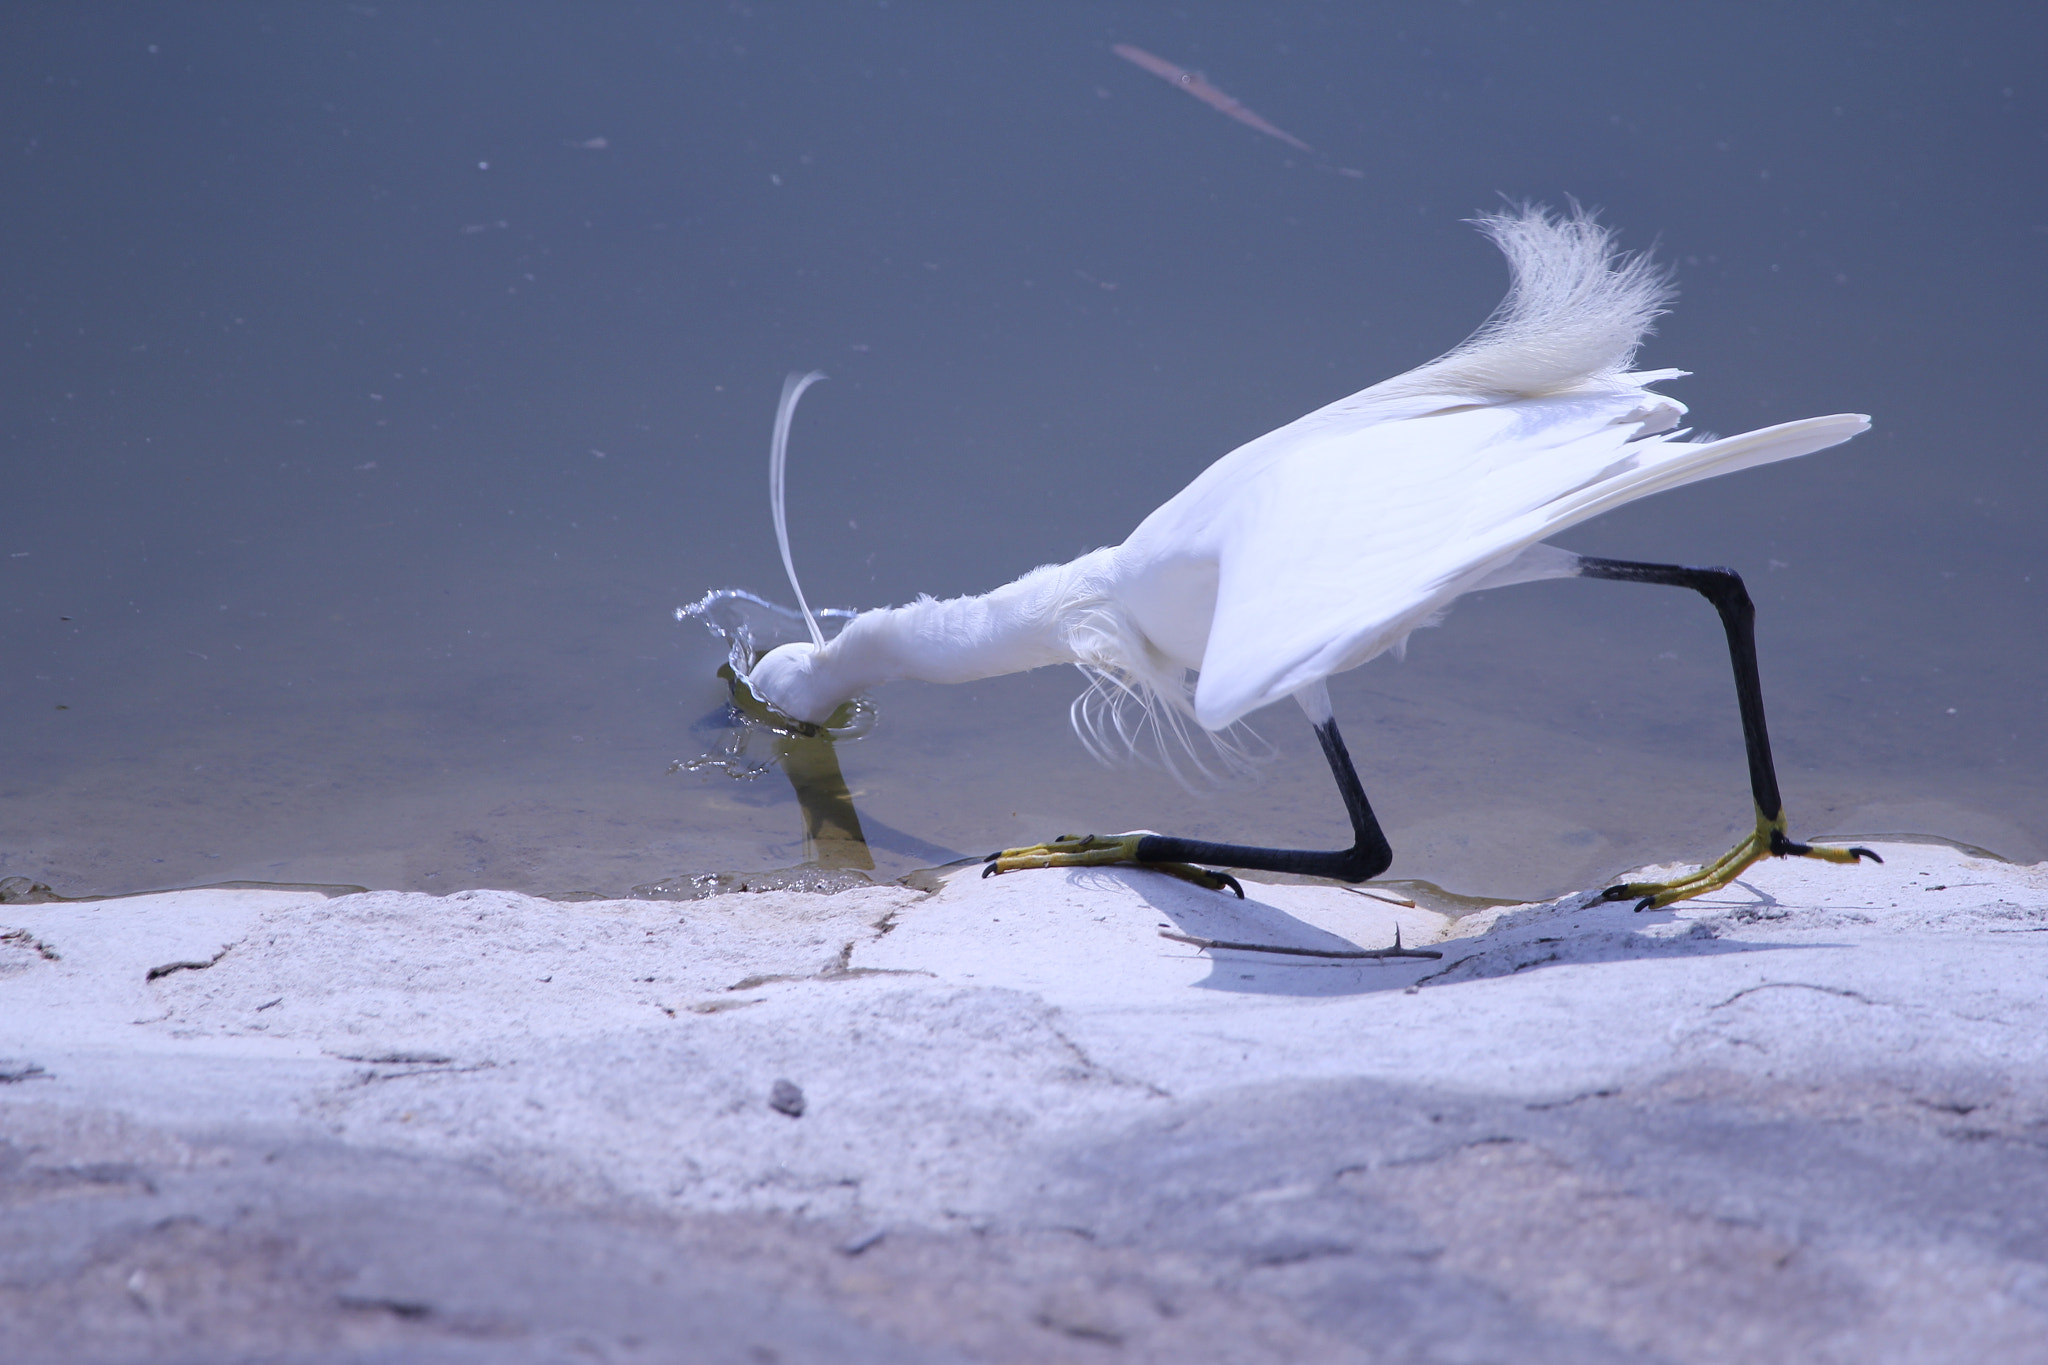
x=1801, y=1120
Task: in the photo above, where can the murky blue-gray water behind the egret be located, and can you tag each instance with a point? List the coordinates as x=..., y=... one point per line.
x=382, y=378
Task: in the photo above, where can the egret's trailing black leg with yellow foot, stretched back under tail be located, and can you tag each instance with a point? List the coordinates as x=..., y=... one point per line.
x=1768, y=840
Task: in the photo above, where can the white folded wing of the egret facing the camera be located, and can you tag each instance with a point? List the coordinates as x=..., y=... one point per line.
x=1353, y=539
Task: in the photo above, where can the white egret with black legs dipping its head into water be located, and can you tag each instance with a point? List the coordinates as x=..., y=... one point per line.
x=1328, y=541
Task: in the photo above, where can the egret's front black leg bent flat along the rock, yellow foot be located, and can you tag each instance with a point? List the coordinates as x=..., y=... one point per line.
x=1367, y=856
